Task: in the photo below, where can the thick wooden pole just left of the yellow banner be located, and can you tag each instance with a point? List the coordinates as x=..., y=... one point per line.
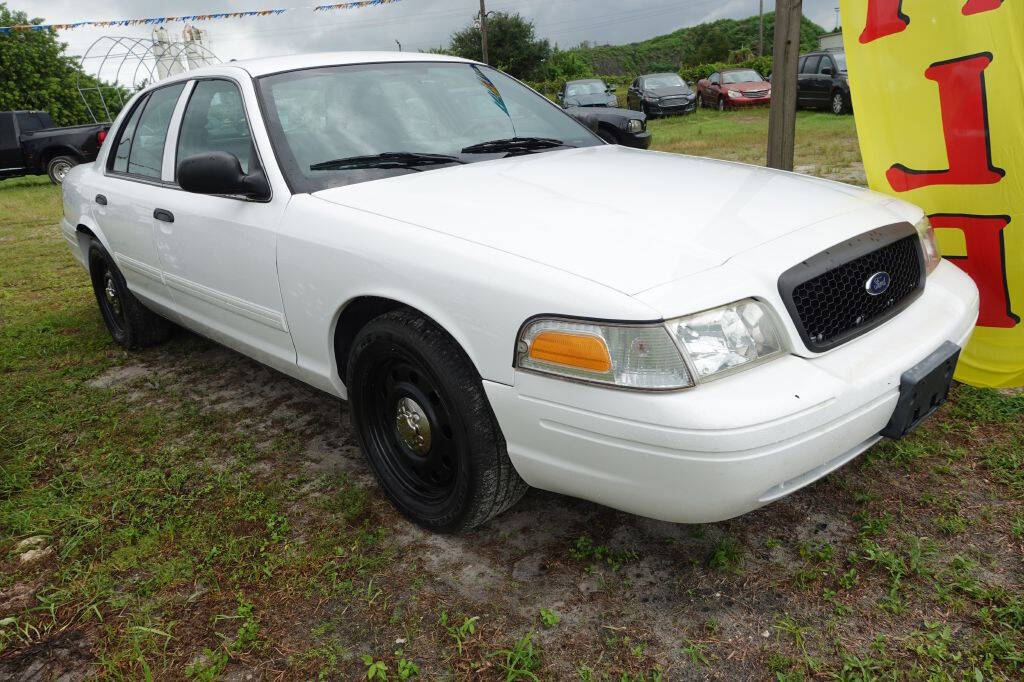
x=783, y=116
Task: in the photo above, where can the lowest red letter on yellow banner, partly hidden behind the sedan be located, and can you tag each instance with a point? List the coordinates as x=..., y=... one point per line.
x=986, y=263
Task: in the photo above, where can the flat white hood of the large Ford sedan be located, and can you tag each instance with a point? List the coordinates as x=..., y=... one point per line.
x=625, y=219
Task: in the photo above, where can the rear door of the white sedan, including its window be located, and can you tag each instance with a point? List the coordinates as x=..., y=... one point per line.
x=125, y=199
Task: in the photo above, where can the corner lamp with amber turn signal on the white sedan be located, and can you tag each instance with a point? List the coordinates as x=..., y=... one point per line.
x=630, y=357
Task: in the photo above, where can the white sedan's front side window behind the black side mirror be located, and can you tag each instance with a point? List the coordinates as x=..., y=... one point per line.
x=216, y=121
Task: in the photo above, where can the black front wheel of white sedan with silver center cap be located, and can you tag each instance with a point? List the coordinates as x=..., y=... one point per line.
x=455, y=475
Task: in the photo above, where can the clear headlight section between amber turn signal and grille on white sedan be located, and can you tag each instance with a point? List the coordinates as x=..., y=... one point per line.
x=729, y=337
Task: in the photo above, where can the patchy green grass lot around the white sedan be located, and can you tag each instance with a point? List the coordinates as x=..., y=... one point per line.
x=182, y=541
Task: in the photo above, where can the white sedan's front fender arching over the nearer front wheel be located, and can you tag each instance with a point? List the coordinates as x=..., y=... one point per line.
x=329, y=255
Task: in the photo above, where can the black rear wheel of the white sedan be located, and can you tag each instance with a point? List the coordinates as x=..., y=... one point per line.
x=131, y=324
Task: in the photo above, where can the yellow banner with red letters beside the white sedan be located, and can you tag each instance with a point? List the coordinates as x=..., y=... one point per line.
x=938, y=93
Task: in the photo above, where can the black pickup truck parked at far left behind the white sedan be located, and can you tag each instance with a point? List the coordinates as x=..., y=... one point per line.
x=31, y=145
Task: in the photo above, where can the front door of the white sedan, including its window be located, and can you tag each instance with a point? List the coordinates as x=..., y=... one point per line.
x=219, y=254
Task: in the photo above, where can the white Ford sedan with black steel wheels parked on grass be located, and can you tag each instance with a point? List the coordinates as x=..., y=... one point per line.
x=505, y=301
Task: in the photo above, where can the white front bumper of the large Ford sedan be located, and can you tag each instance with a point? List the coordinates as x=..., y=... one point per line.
x=731, y=446
